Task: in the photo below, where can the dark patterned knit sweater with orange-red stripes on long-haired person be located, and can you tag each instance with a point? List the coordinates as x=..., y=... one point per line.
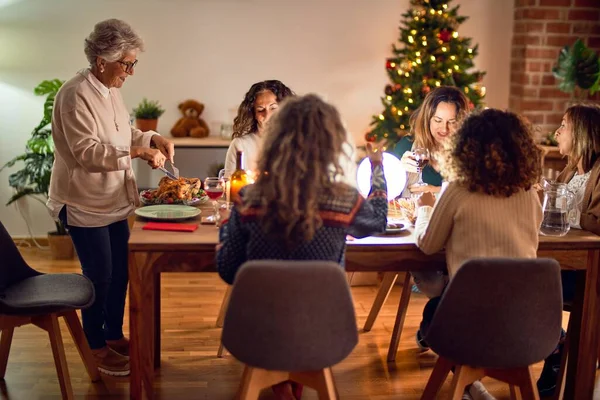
x=243, y=238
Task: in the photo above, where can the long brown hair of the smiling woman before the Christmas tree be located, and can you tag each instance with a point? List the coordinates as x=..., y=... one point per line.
x=421, y=117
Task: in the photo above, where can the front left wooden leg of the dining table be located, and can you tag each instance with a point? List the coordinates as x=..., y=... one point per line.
x=141, y=293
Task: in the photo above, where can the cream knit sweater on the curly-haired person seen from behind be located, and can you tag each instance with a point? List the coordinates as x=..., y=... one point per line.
x=472, y=225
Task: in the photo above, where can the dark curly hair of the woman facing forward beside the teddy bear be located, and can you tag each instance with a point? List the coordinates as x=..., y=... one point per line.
x=245, y=122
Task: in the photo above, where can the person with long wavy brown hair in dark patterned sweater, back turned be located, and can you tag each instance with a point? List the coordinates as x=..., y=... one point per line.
x=299, y=208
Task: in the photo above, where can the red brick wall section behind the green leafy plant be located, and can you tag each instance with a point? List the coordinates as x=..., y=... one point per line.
x=541, y=29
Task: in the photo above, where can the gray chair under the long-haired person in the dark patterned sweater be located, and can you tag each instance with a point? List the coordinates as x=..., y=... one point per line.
x=290, y=320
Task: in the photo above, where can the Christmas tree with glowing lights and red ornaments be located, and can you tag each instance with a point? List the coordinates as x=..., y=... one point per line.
x=433, y=54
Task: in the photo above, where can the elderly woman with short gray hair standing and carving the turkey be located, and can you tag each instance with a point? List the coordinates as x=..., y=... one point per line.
x=93, y=189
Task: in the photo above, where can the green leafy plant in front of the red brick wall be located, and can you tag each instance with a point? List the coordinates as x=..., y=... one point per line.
x=578, y=70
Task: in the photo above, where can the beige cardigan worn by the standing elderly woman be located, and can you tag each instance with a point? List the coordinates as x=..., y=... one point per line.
x=92, y=171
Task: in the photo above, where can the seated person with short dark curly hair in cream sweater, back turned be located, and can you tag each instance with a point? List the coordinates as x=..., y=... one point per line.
x=490, y=208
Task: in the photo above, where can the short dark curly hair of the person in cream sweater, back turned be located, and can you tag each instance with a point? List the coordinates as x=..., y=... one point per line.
x=493, y=152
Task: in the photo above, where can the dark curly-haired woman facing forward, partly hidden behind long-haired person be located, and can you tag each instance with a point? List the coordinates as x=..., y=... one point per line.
x=259, y=104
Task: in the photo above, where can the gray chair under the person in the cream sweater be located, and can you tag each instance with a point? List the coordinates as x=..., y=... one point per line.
x=496, y=318
